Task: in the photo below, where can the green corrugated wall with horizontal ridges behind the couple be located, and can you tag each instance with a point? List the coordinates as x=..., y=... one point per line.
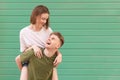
x=92, y=37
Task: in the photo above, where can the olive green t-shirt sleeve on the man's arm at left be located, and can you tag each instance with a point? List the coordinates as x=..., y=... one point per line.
x=26, y=55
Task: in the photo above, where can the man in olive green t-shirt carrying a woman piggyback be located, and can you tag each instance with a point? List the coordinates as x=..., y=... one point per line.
x=42, y=68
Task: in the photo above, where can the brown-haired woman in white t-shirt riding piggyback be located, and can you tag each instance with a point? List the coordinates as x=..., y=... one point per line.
x=36, y=35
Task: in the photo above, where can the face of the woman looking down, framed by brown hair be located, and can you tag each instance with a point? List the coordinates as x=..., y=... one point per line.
x=42, y=19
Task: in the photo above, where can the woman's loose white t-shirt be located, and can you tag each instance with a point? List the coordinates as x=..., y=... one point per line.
x=29, y=37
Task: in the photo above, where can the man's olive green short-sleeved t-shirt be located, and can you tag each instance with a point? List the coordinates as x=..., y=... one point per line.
x=38, y=68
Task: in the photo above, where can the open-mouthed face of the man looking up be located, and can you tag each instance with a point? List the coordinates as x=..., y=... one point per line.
x=53, y=42
